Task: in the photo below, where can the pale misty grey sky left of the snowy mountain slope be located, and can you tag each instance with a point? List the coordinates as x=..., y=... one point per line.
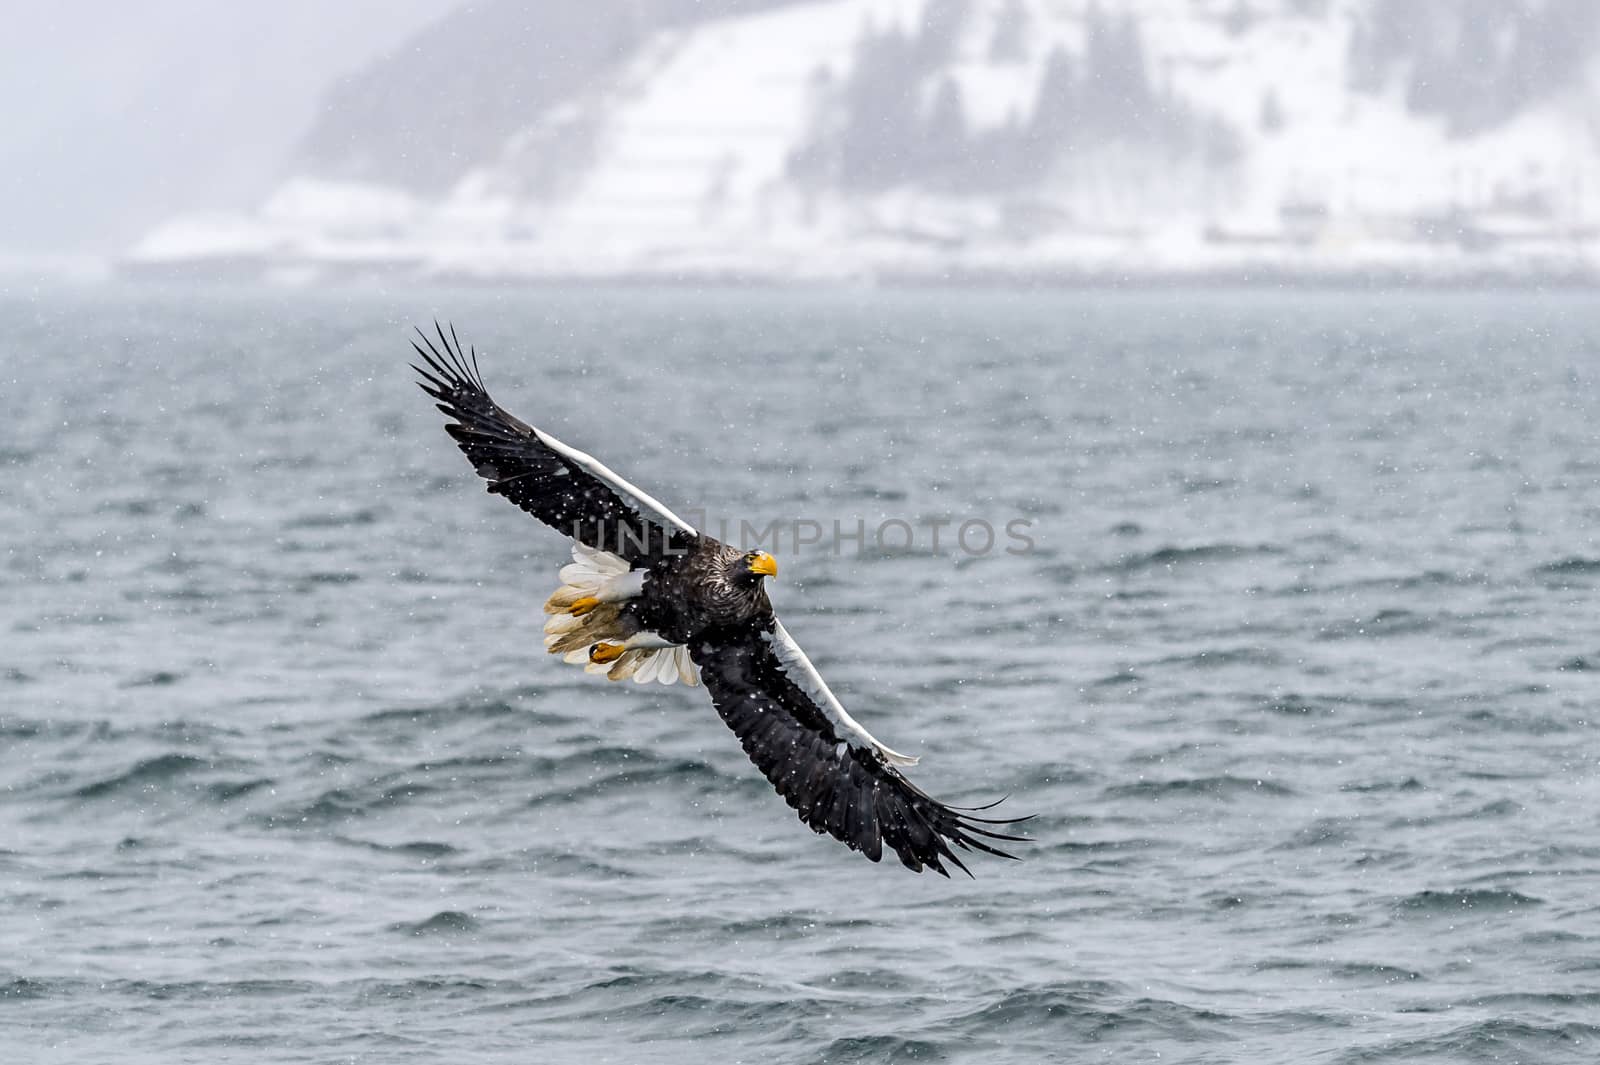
x=119, y=114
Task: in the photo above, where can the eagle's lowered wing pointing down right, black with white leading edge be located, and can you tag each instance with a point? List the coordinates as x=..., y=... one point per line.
x=828, y=768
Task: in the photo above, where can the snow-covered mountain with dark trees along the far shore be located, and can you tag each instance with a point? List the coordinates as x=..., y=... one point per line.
x=932, y=138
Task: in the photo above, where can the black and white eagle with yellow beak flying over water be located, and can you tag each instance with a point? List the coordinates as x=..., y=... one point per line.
x=652, y=599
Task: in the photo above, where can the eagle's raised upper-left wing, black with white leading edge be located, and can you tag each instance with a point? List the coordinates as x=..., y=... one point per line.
x=562, y=487
